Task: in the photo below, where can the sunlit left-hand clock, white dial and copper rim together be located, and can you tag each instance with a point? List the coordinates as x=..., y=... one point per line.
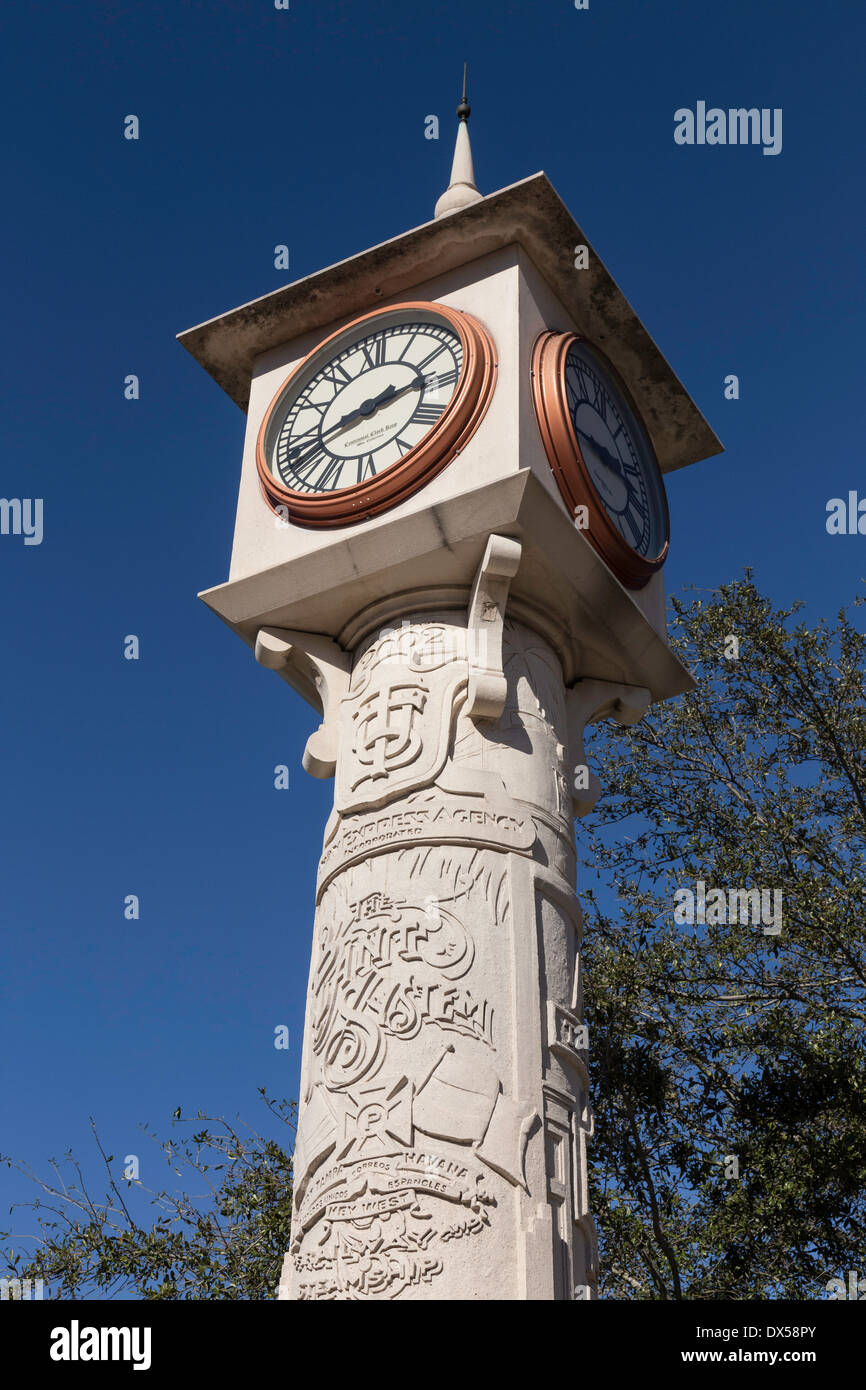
x=375, y=412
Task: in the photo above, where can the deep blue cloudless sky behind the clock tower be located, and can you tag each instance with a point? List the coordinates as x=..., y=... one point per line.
x=263, y=127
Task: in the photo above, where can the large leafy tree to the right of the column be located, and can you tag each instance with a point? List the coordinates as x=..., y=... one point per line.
x=722, y=1039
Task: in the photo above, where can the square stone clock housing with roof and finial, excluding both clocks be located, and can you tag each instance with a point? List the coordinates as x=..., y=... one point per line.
x=509, y=262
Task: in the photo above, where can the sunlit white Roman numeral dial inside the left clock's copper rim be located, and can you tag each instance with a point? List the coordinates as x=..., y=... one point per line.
x=363, y=409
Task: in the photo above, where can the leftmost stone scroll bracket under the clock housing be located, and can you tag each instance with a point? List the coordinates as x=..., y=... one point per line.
x=319, y=669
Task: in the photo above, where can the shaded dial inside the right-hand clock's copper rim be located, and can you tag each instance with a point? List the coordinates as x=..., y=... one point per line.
x=616, y=454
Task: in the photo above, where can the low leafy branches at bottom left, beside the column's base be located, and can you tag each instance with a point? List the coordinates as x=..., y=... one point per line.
x=226, y=1241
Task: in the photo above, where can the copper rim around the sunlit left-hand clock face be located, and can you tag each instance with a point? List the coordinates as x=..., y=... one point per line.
x=430, y=457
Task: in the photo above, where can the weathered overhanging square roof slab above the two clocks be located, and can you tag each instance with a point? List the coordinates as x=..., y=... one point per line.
x=529, y=215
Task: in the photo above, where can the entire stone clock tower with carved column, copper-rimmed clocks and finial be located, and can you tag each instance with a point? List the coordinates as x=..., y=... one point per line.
x=450, y=541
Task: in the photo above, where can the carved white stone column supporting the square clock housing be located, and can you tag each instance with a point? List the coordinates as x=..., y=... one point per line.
x=444, y=1111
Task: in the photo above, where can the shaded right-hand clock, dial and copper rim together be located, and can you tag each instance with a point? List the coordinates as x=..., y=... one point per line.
x=601, y=455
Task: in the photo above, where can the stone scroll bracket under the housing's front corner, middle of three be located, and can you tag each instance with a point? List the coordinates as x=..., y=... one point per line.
x=487, y=683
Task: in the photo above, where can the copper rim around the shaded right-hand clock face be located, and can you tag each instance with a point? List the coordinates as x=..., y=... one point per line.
x=568, y=464
